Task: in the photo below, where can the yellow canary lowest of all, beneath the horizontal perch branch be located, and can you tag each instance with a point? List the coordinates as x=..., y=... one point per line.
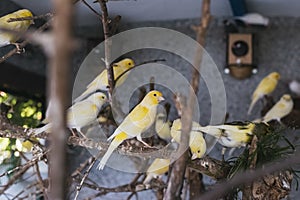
x=157, y=168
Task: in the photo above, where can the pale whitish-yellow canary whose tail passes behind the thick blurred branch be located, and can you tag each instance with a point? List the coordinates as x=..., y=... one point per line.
x=80, y=114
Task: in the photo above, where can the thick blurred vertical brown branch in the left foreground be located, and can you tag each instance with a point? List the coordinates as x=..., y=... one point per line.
x=58, y=86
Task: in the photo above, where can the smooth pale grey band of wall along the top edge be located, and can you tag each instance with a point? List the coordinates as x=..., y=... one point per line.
x=157, y=10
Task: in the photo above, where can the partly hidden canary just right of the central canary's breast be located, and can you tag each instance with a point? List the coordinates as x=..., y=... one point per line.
x=163, y=127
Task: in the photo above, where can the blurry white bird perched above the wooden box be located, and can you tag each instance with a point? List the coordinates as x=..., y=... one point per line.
x=254, y=19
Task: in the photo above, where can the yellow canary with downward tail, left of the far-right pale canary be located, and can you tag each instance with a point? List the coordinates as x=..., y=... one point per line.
x=266, y=86
